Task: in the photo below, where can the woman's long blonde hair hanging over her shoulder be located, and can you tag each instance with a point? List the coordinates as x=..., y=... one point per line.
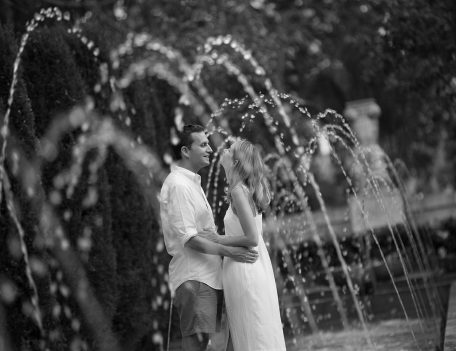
x=249, y=169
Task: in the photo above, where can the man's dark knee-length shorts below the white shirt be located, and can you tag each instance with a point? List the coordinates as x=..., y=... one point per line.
x=199, y=307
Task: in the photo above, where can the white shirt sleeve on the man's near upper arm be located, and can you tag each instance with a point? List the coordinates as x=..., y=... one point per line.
x=181, y=213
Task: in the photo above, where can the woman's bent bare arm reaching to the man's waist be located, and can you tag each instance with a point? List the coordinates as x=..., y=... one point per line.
x=244, y=211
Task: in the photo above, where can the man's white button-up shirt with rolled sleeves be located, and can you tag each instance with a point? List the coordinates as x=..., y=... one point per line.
x=184, y=212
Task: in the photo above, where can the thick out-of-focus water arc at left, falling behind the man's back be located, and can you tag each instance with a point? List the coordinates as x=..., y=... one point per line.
x=138, y=158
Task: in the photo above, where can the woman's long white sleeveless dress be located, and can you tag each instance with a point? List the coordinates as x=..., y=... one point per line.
x=251, y=296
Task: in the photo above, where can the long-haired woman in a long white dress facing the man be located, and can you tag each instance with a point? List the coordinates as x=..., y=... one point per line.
x=250, y=290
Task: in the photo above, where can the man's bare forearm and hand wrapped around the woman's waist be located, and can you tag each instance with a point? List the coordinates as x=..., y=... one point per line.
x=240, y=254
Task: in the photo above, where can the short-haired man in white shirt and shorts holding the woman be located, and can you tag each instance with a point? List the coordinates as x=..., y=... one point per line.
x=195, y=270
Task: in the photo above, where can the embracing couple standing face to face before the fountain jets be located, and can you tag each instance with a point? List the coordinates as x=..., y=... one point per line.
x=203, y=261
